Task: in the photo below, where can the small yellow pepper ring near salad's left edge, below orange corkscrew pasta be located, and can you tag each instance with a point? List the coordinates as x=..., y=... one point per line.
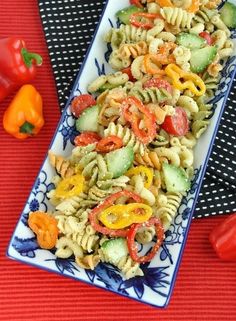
x=69, y=187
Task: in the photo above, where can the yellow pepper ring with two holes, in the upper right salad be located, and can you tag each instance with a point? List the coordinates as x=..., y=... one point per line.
x=191, y=81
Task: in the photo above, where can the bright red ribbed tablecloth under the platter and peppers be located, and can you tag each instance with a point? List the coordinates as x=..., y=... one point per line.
x=205, y=287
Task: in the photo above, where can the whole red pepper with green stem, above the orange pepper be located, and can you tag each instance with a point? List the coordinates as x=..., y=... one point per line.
x=17, y=65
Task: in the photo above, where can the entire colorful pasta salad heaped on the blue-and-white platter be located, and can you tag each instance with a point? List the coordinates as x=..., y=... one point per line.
x=132, y=162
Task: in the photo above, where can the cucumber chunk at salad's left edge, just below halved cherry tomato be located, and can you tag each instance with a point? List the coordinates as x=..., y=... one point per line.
x=88, y=120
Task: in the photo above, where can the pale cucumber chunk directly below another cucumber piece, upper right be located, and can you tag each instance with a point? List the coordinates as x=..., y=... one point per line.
x=201, y=58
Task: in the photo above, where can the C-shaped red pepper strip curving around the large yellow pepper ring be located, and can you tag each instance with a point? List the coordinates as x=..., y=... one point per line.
x=106, y=203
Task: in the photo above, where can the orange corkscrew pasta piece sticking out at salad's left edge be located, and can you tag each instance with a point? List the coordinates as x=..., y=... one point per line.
x=62, y=166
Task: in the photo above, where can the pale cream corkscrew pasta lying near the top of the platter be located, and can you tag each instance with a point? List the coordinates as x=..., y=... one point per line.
x=177, y=17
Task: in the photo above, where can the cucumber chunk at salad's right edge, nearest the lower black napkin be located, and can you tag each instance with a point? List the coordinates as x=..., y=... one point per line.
x=175, y=178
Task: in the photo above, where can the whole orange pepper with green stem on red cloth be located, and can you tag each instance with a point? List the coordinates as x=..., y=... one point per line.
x=24, y=116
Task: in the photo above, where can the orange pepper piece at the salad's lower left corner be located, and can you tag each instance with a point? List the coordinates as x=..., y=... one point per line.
x=45, y=227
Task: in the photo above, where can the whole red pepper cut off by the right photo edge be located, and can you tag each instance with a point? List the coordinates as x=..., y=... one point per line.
x=223, y=239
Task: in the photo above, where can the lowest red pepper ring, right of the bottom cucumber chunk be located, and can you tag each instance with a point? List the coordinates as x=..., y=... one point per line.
x=133, y=248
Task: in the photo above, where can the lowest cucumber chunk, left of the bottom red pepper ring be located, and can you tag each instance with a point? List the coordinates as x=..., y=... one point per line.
x=114, y=250
